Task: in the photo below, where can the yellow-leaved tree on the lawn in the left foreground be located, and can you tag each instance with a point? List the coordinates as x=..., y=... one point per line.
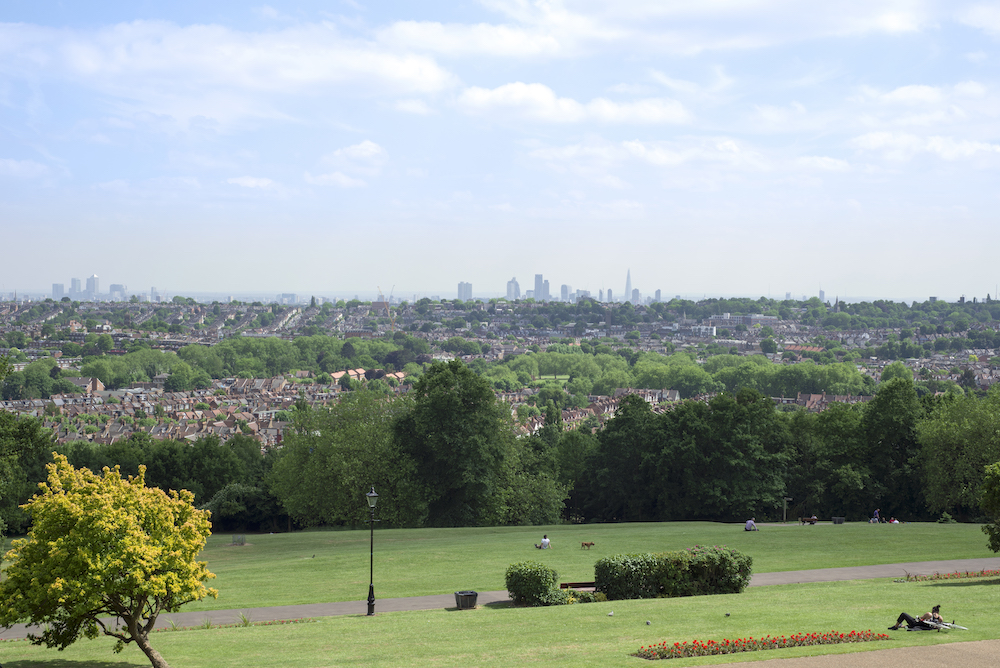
x=104, y=555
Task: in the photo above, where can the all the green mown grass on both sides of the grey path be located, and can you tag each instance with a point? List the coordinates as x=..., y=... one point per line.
x=282, y=569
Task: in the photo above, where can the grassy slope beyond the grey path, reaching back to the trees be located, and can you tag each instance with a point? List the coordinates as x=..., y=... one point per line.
x=281, y=569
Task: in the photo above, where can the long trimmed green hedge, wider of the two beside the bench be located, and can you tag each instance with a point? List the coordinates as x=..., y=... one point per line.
x=692, y=572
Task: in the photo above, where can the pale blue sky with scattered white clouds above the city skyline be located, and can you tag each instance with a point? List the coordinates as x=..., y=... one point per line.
x=719, y=147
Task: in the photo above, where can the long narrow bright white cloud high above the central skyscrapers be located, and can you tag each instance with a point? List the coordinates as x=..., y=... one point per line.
x=540, y=103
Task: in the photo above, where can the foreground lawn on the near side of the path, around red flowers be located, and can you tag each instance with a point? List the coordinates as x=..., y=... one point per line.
x=576, y=635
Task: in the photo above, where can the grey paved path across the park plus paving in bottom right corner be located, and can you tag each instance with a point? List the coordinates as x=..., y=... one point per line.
x=980, y=654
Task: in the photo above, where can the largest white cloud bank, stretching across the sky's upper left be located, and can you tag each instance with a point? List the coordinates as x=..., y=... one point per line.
x=215, y=72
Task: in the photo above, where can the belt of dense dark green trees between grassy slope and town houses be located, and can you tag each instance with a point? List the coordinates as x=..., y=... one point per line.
x=448, y=454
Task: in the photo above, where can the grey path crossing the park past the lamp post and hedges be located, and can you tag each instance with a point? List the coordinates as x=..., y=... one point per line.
x=440, y=601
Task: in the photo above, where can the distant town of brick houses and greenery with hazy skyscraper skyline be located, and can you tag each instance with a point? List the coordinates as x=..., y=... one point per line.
x=74, y=356
